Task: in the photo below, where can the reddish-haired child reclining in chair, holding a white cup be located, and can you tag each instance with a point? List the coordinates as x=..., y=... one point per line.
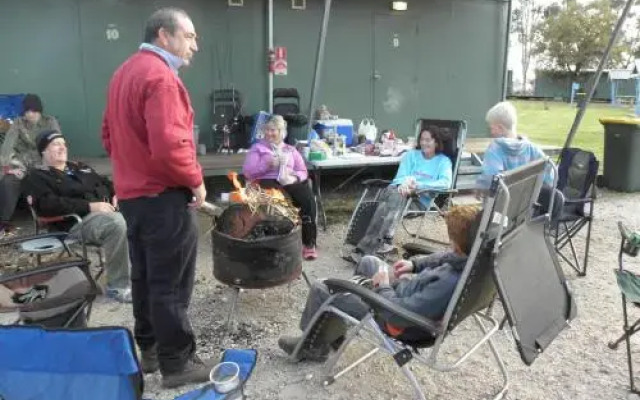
x=423, y=284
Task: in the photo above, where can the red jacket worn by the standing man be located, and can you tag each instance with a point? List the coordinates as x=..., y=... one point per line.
x=147, y=129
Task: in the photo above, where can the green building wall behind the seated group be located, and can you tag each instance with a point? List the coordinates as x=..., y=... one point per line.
x=446, y=62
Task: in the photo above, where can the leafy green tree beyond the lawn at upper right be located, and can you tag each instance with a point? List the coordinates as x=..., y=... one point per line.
x=573, y=38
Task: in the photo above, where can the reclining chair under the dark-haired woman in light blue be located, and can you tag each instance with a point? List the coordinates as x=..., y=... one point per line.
x=455, y=133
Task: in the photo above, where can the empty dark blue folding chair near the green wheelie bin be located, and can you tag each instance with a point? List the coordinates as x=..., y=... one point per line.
x=577, y=175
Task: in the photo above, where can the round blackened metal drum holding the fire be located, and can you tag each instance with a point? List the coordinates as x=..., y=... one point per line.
x=257, y=264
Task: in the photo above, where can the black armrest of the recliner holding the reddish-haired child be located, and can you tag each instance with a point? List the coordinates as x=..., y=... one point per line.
x=379, y=303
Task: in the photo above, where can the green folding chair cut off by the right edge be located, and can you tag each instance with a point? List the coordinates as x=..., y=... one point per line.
x=629, y=284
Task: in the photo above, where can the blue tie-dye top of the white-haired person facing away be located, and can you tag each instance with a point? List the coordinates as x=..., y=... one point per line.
x=505, y=154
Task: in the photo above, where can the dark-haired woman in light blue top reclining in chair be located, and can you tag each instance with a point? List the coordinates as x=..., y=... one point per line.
x=425, y=167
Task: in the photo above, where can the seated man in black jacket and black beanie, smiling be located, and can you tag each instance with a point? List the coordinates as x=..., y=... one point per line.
x=62, y=187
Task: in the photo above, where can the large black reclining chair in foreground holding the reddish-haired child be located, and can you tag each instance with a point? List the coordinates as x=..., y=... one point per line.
x=535, y=295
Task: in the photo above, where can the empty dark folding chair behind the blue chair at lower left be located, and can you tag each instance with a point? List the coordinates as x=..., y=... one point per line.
x=56, y=294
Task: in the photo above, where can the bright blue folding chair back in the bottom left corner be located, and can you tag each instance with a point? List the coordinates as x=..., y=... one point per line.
x=97, y=364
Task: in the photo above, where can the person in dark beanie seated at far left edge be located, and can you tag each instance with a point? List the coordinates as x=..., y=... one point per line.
x=18, y=153
